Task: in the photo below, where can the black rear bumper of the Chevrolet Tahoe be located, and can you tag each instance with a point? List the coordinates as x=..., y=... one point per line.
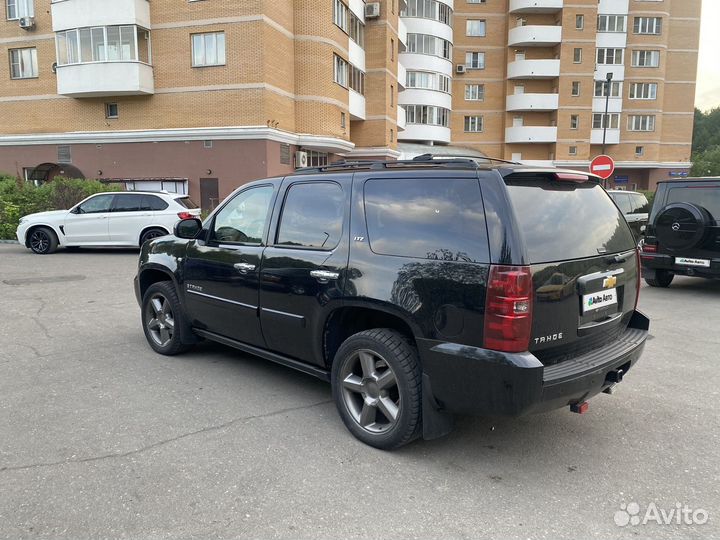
x=470, y=380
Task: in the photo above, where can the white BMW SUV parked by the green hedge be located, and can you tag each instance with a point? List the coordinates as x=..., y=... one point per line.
x=106, y=219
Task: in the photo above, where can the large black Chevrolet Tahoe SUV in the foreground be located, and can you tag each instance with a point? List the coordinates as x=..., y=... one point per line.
x=419, y=289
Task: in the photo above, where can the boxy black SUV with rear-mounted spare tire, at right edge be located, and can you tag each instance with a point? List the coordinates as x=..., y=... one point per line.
x=683, y=235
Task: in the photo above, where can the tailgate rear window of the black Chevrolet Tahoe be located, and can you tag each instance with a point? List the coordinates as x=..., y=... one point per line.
x=564, y=220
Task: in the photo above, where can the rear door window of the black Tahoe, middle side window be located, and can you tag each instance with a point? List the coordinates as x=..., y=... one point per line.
x=312, y=216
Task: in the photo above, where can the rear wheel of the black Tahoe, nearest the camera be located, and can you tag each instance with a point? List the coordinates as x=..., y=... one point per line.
x=377, y=388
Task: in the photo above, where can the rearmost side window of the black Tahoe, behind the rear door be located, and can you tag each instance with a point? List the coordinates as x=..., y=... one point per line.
x=428, y=218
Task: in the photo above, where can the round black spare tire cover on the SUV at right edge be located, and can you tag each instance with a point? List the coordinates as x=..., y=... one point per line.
x=681, y=226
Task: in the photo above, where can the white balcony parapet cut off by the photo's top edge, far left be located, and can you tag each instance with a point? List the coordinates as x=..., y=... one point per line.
x=68, y=14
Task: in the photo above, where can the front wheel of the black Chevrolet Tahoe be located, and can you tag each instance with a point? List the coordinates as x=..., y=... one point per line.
x=163, y=319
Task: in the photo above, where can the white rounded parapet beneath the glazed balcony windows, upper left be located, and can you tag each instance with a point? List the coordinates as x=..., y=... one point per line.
x=96, y=79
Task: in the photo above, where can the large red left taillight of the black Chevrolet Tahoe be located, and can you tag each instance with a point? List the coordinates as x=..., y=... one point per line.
x=508, y=309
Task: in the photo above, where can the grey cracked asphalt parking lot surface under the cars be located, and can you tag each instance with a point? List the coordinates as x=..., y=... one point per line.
x=102, y=438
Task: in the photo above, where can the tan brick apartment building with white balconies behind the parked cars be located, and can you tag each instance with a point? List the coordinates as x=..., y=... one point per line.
x=201, y=96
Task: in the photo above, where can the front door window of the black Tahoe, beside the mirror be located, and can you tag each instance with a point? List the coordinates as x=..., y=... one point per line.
x=243, y=219
